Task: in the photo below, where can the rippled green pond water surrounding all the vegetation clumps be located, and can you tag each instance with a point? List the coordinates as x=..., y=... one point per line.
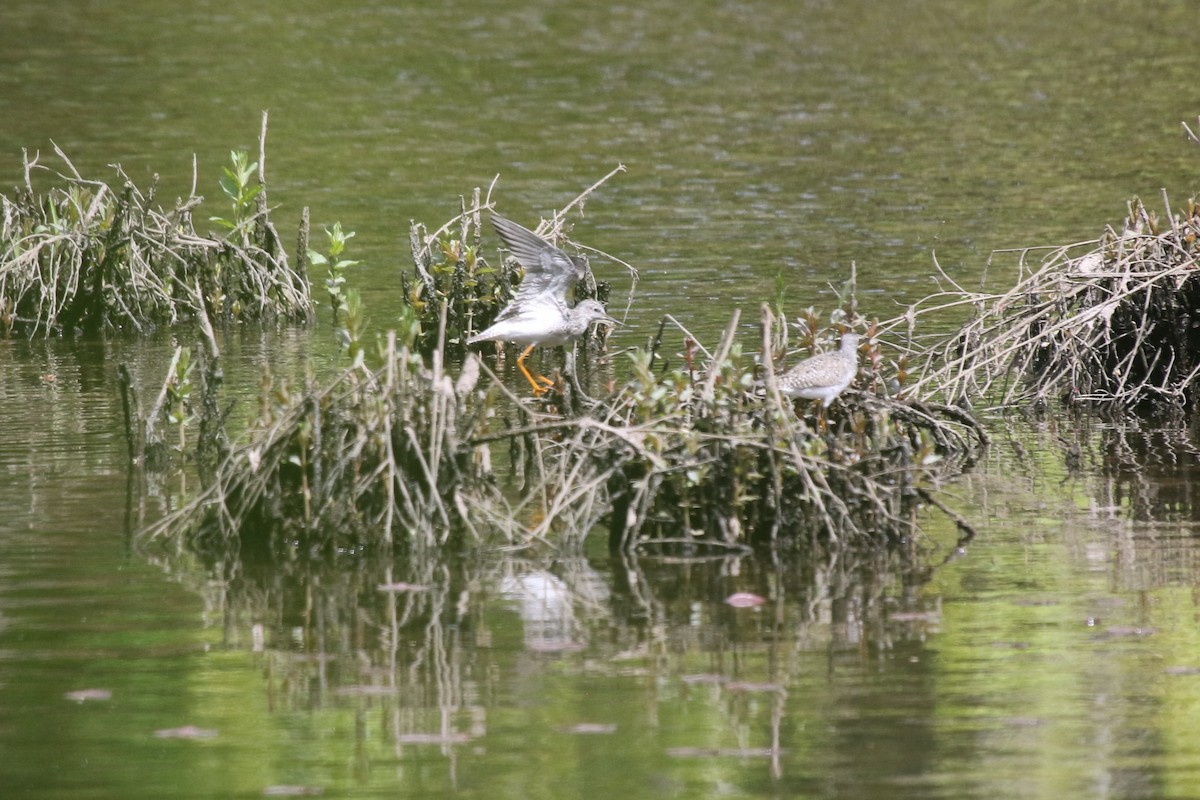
x=1053, y=658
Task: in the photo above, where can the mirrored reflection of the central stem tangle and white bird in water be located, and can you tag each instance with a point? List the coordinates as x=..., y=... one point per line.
x=458, y=654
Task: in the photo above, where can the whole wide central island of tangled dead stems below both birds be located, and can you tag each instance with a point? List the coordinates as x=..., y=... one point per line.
x=681, y=458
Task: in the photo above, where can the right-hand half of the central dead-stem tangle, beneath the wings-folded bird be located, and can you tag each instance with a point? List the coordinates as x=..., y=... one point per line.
x=704, y=455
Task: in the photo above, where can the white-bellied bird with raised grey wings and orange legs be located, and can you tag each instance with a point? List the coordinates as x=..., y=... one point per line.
x=539, y=314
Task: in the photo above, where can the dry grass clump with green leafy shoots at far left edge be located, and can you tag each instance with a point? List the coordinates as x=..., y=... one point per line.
x=93, y=256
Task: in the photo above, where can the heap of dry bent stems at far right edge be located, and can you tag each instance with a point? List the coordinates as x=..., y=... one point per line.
x=1107, y=323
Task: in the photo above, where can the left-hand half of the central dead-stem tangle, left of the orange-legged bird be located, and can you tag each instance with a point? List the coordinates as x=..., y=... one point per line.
x=370, y=459
